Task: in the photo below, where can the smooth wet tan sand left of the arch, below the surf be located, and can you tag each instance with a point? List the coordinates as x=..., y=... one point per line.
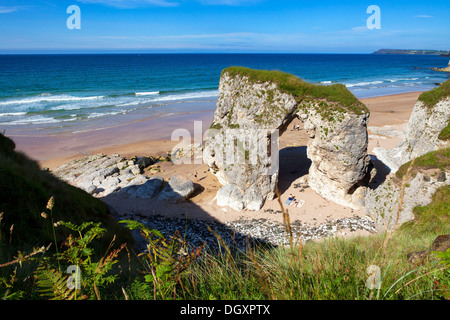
x=152, y=132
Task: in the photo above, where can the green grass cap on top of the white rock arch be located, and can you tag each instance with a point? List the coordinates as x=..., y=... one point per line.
x=302, y=90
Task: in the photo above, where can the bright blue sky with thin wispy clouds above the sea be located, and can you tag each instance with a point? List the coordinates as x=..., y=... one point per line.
x=223, y=26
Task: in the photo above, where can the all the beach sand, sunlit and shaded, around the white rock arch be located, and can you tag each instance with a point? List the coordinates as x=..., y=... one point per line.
x=152, y=137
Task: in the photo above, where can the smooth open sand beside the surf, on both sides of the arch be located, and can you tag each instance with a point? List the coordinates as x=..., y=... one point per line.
x=154, y=133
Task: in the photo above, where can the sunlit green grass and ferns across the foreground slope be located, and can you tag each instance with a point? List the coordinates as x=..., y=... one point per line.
x=333, y=268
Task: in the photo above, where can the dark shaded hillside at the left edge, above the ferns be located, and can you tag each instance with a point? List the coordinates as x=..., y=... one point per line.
x=24, y=192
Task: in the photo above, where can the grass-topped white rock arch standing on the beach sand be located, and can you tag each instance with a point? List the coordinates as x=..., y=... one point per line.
x=255, y=107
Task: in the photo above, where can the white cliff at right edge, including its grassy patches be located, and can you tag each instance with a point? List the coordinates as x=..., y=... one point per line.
x=426, y=142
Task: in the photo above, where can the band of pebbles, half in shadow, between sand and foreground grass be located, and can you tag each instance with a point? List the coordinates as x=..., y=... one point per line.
x=240, y=233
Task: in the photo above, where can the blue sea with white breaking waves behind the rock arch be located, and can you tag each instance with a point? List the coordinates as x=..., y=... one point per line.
x=72, y=93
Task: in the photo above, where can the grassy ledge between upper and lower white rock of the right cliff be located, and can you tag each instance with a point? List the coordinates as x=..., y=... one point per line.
x=439, y=160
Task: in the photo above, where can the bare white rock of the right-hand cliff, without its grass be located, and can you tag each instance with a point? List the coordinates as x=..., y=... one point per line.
x=422, y=136
